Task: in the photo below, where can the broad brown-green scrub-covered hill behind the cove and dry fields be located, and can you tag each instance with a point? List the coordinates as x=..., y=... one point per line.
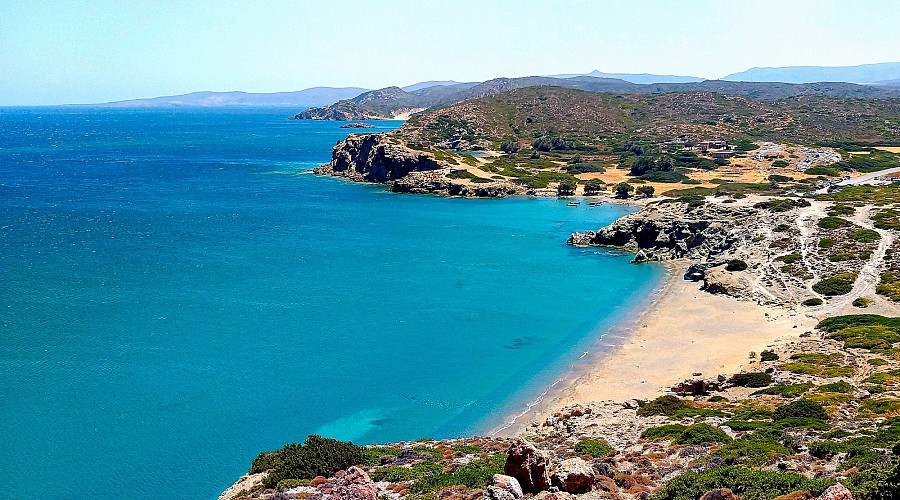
x=594, y=119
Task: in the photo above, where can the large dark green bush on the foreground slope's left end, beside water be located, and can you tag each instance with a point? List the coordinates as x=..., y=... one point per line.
x=317, y=456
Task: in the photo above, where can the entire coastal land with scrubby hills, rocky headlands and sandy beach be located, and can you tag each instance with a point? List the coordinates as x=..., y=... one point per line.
x=768, y=367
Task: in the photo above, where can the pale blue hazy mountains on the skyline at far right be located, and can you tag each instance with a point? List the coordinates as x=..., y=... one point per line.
x=864, y=73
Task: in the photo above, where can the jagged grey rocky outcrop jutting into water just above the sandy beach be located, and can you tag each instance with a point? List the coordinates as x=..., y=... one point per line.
x=672, y=231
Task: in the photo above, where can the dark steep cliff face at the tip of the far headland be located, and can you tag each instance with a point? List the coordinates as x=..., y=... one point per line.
x=377, y=158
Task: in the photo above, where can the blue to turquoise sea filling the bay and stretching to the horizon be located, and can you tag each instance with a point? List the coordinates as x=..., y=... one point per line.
x=178, y=294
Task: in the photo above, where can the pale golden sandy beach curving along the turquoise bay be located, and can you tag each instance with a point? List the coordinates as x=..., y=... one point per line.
x=685, y=331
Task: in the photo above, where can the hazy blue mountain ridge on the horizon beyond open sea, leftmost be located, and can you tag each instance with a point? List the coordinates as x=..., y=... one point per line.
x=316, y=96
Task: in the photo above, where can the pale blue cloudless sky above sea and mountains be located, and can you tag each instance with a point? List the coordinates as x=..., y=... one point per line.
x=90, y=51
